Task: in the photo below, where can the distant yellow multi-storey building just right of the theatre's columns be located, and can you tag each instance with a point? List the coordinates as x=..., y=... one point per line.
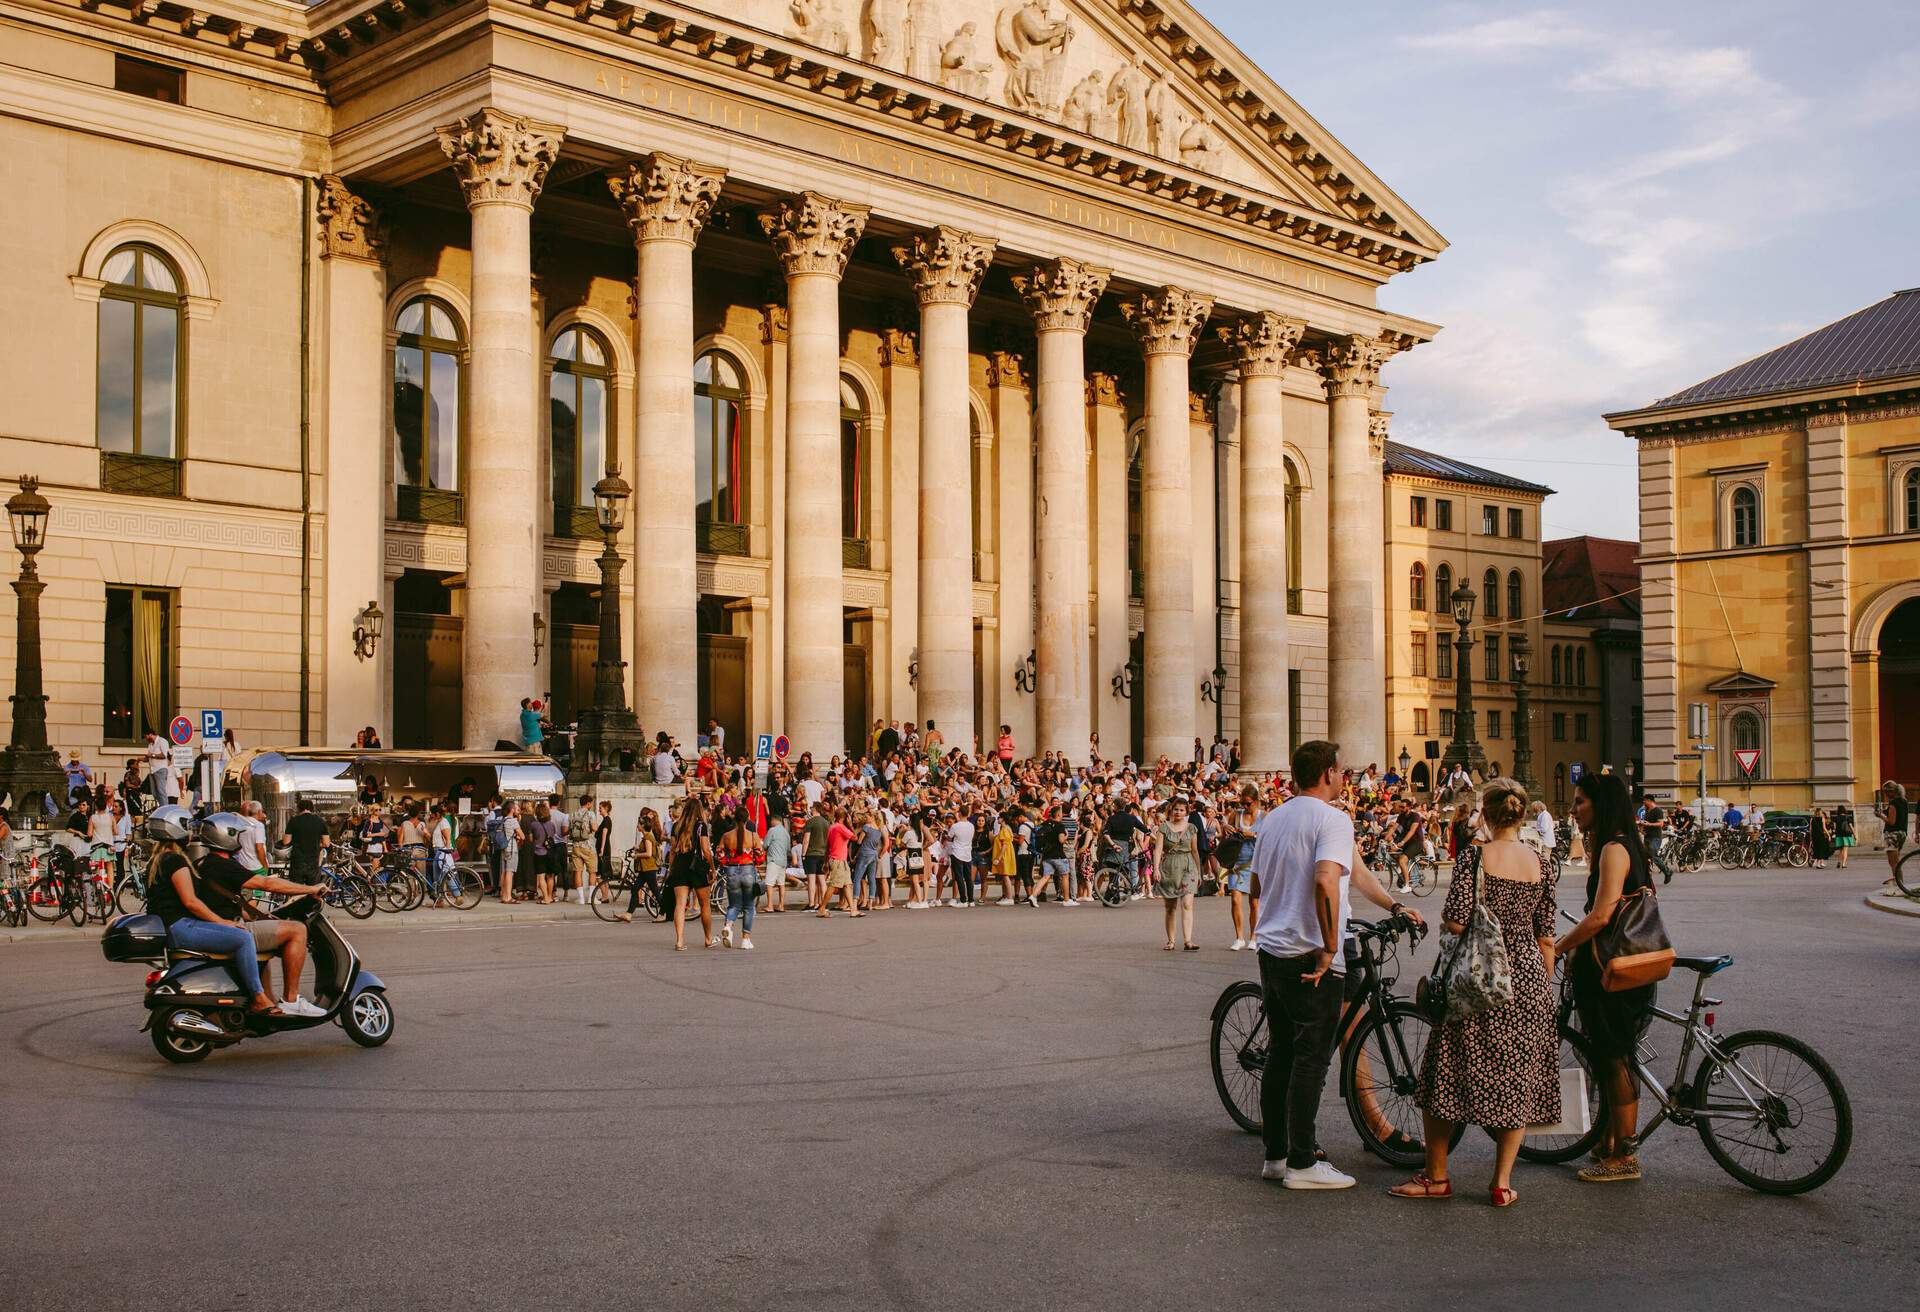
x=1451, y=523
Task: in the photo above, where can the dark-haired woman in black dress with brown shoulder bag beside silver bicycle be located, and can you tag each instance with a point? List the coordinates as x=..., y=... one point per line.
x=1612, y=1023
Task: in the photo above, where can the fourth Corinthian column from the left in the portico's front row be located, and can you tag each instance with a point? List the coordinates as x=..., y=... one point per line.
x=946, y=268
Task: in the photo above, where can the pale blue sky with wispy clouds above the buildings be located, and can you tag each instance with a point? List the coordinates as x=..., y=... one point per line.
x=1637, y=197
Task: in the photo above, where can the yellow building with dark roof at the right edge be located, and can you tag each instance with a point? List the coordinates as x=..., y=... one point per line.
x=1781, y=564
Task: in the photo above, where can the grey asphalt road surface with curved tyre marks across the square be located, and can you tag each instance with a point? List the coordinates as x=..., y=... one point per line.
x=990, y=1109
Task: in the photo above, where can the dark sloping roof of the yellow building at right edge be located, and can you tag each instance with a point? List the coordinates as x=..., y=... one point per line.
x=1877, y=343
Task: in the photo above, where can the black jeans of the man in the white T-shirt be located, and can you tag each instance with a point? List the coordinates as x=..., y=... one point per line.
x=1303, y=1025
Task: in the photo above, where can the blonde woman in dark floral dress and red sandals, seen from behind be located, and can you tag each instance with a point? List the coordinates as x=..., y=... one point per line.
x=1499, y=1069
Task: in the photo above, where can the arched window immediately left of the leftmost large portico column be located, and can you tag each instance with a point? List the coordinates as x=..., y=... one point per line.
x=427, y=412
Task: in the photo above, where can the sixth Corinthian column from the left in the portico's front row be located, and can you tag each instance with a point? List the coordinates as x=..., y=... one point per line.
x=1168, y=324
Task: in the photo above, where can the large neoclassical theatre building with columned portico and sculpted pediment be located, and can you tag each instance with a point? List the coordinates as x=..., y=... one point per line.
x=971, y=360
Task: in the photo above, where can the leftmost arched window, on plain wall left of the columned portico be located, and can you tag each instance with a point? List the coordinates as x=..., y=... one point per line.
x=137, y=391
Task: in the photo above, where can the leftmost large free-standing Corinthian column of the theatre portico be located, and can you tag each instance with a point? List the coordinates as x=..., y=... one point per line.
x=502, y=162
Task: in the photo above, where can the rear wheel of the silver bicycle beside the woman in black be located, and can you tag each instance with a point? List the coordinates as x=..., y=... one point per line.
x=1773, y=1113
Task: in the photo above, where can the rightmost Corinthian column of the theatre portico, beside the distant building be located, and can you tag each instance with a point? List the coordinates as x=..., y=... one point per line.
x=1356, y=621
